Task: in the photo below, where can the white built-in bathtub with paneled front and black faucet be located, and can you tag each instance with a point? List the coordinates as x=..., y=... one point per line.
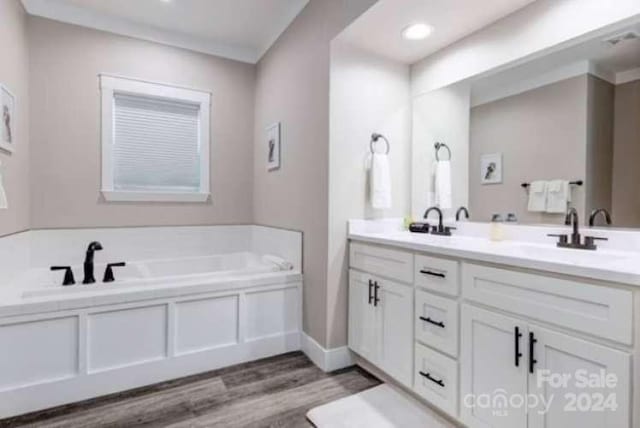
x=165, y=316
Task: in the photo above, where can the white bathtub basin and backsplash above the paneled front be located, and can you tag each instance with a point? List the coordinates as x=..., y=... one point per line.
x=151, y=254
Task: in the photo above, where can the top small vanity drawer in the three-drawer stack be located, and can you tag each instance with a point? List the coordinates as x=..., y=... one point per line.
x=437, y=274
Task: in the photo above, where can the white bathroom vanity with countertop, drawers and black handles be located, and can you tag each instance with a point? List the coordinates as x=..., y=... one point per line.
x=478, y=328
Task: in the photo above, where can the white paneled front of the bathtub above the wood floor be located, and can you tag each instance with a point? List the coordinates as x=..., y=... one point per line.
x=62, y=357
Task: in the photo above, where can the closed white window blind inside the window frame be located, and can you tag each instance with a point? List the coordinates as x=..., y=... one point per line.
x=156, y=144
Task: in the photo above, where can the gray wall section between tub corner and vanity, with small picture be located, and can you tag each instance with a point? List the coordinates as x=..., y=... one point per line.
x=293, y=88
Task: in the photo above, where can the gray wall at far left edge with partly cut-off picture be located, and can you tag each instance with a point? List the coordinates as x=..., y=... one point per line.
x=14, y=69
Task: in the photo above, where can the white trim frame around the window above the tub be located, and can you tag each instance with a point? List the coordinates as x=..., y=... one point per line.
x=109, y=86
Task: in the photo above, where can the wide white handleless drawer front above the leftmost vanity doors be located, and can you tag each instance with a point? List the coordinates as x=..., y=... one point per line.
x=393, y=264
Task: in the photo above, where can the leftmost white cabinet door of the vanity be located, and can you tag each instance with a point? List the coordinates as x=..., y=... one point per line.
x=362, y=317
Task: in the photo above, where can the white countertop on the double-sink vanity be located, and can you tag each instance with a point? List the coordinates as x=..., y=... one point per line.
x=603, y=264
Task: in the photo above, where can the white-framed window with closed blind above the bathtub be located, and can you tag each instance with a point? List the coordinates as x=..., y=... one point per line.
x=155, y=142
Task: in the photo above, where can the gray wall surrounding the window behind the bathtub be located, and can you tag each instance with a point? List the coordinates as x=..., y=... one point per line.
x=65, y=127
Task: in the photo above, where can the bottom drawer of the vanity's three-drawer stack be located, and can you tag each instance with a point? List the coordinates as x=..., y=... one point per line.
x=436, y=379
